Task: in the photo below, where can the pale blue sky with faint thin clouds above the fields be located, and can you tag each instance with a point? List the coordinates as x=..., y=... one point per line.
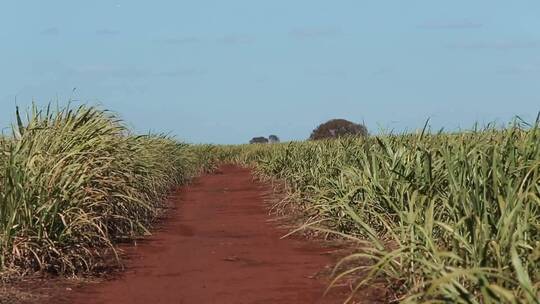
x=226, y=71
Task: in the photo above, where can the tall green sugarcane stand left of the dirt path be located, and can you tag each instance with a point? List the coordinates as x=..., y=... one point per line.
x=75, y=181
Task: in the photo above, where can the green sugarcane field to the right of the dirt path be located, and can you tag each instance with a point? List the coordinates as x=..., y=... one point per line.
x=448, y=218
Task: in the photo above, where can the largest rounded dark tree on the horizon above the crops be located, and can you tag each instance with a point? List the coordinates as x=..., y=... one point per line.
x=338, y=128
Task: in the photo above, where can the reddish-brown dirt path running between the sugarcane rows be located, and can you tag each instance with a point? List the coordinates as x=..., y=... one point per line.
x=218, y=247
